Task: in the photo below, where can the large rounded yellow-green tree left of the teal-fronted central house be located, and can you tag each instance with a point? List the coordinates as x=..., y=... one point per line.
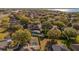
x=22, y=36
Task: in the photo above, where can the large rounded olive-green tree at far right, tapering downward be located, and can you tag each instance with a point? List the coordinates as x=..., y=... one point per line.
x=69, y=35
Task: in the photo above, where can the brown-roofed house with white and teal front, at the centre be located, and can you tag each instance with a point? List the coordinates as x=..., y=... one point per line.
x=36, y=29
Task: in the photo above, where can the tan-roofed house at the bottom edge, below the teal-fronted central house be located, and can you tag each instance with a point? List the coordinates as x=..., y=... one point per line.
x=33, y=45
